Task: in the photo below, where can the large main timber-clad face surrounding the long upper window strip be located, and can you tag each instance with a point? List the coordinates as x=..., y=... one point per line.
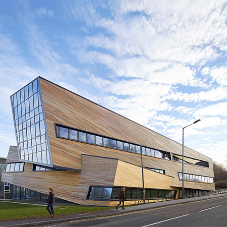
x=63, y=107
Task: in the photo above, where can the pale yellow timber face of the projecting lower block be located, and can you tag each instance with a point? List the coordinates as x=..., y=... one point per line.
x=131, y=176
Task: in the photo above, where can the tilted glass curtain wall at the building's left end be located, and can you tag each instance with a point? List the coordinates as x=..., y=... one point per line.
x=30, y=124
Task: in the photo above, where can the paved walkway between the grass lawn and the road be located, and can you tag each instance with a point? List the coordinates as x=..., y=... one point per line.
x=112, y=212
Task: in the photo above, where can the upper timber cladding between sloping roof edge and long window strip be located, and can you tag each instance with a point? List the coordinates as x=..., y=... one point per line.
x=64, y=107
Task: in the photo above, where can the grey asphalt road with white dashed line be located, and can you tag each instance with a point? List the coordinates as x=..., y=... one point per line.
x=211, y=212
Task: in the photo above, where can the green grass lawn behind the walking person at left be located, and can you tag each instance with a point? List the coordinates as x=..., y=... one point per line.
x=12, y=211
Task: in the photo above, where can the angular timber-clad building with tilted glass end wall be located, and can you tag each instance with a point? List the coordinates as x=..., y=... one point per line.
x=87, y=152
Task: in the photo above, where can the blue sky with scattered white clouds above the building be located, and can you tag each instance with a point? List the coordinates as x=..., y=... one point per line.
x=159, y=63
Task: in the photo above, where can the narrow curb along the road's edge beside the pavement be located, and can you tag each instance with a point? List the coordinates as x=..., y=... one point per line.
x=92, y=216
